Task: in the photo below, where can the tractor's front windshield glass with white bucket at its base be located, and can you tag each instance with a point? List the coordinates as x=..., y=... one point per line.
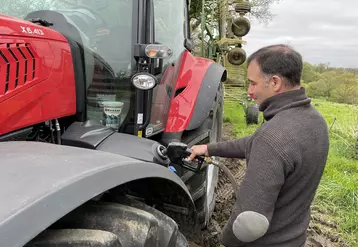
x=103, y=31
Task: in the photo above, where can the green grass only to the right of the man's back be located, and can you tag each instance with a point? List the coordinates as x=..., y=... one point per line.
x=338, y=190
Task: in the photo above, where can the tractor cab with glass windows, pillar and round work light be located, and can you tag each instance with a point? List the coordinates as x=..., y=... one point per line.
x=121, y=50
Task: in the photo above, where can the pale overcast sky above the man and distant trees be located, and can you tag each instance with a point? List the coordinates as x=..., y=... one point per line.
x=321, y=30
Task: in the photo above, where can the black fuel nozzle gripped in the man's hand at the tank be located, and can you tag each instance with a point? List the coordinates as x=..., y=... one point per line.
x=178, y=153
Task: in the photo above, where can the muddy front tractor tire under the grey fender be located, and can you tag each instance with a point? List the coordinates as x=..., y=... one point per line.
x=108, y=224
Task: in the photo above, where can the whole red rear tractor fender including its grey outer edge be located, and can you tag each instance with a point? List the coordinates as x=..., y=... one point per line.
x=195, y=92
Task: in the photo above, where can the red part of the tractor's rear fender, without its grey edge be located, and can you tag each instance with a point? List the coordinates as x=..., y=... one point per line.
x=191, y=74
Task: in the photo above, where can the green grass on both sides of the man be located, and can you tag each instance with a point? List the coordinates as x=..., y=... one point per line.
x=336, y=199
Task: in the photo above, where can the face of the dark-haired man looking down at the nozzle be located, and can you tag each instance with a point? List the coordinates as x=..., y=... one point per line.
x=260, y=88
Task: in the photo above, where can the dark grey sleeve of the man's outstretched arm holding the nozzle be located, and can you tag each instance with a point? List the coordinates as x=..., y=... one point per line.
x=229, y=149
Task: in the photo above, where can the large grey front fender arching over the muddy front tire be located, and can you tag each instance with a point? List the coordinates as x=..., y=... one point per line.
x=40, y=183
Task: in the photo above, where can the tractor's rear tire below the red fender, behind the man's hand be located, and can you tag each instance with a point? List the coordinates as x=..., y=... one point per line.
x=203, y=186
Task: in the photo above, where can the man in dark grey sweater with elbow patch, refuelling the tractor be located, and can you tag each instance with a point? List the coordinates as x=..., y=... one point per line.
x=285, y=157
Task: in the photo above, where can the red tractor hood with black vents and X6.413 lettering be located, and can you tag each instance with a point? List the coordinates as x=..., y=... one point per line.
x=36, y=75
